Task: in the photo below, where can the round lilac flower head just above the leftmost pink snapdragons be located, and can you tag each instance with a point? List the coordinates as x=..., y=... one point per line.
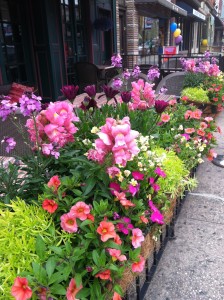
x=29, y=103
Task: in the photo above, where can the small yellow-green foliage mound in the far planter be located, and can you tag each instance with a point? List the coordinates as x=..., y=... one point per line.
x=196, y=94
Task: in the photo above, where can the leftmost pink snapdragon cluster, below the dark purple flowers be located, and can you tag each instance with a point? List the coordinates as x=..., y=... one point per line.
x=53, y=128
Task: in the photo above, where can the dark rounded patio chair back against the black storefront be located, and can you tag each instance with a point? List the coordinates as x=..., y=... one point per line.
x=87, y=74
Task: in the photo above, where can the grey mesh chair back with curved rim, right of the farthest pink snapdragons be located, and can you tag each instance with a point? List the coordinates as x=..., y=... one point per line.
x=173, y=82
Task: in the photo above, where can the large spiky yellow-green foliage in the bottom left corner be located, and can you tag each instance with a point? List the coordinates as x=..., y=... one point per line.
x=23, y=228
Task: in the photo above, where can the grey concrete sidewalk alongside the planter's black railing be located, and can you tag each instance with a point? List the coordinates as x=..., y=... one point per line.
x=192, y=265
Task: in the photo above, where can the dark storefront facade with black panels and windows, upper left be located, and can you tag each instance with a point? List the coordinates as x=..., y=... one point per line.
x=42, y=40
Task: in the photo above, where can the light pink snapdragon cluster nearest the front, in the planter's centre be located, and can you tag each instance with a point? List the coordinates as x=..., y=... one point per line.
x=118, y=138
